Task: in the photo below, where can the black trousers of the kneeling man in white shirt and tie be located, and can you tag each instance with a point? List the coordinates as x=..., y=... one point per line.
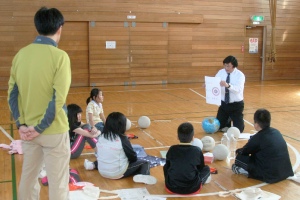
x=231, y=112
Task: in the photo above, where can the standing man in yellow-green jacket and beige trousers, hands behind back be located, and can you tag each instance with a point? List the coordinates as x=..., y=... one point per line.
x=39, y=82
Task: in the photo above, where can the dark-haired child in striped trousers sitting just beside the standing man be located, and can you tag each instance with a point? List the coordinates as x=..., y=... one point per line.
x=80, y=132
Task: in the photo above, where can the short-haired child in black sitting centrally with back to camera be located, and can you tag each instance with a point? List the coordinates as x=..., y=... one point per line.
x=185, y=171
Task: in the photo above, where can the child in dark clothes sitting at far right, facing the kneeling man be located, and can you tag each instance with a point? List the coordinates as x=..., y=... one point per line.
x=265, y=156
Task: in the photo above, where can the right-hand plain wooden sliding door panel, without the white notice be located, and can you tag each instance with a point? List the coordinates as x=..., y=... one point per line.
x=148, y=53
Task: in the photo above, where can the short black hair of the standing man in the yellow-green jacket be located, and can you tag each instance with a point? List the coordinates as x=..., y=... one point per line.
x=48, y=20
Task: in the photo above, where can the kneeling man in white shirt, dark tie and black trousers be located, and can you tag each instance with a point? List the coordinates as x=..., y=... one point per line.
x=232, y=95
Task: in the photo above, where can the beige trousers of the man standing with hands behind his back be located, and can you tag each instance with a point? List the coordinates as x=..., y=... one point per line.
x=54, y=151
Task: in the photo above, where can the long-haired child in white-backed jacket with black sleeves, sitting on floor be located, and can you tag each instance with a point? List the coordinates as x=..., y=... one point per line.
x=116, y=158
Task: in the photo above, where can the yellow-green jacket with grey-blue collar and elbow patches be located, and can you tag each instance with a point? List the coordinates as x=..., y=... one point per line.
x=39, y=83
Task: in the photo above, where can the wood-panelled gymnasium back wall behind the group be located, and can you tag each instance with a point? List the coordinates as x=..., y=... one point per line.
x=207, y=32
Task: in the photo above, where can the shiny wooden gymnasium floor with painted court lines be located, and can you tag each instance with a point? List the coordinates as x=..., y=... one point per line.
x=168, y=106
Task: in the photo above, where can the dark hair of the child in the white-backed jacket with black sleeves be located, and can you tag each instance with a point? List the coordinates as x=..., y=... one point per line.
x=115, y=125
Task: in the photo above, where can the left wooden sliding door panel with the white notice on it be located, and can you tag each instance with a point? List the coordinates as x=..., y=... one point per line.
x=109, y=66
